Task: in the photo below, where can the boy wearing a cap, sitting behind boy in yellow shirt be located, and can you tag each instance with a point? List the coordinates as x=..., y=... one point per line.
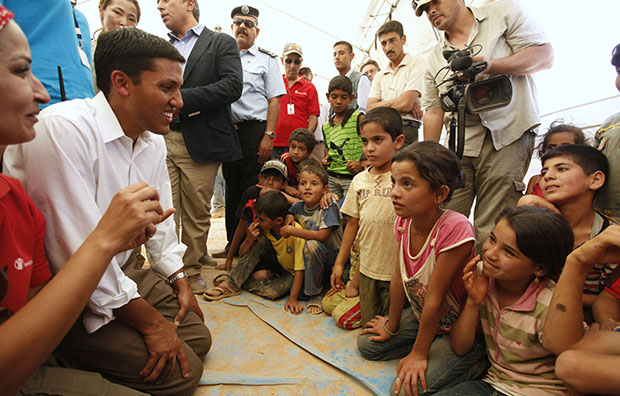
x=272, y=176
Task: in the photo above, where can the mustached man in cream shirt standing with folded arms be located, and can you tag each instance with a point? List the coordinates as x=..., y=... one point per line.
x=399, y=85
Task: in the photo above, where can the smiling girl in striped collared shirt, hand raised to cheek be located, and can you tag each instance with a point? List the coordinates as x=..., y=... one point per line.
x=521, y=260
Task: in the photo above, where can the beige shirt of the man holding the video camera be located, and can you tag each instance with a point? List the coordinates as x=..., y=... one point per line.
x=502, y=28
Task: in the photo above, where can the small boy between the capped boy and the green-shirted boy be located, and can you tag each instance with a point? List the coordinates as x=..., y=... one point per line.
x=301, y=144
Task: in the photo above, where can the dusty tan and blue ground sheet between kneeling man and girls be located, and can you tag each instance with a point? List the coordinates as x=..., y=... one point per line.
x=241, y=349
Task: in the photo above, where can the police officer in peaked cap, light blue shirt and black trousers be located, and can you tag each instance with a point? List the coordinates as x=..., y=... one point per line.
x=255, y=114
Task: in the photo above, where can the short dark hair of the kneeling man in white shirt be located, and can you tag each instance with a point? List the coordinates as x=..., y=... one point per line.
x=131, y=51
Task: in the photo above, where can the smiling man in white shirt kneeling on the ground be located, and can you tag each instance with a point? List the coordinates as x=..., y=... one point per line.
x=137, y=324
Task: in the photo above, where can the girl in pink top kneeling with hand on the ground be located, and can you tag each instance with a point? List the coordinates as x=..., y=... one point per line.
x=427, y=289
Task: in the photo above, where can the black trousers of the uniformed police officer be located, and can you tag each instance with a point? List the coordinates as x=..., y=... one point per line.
x=243, y=173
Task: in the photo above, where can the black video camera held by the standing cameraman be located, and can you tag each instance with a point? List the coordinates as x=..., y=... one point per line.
x=468, y=95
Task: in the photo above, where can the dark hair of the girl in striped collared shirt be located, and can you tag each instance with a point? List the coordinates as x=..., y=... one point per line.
x=542, y=235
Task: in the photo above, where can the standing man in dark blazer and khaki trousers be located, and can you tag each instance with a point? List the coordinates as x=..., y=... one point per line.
x=202, y=133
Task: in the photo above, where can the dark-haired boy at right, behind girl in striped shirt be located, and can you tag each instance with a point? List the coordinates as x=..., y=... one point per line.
x=570, y=178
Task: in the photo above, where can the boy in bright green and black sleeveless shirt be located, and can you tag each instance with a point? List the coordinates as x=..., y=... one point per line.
x=343, y=144
